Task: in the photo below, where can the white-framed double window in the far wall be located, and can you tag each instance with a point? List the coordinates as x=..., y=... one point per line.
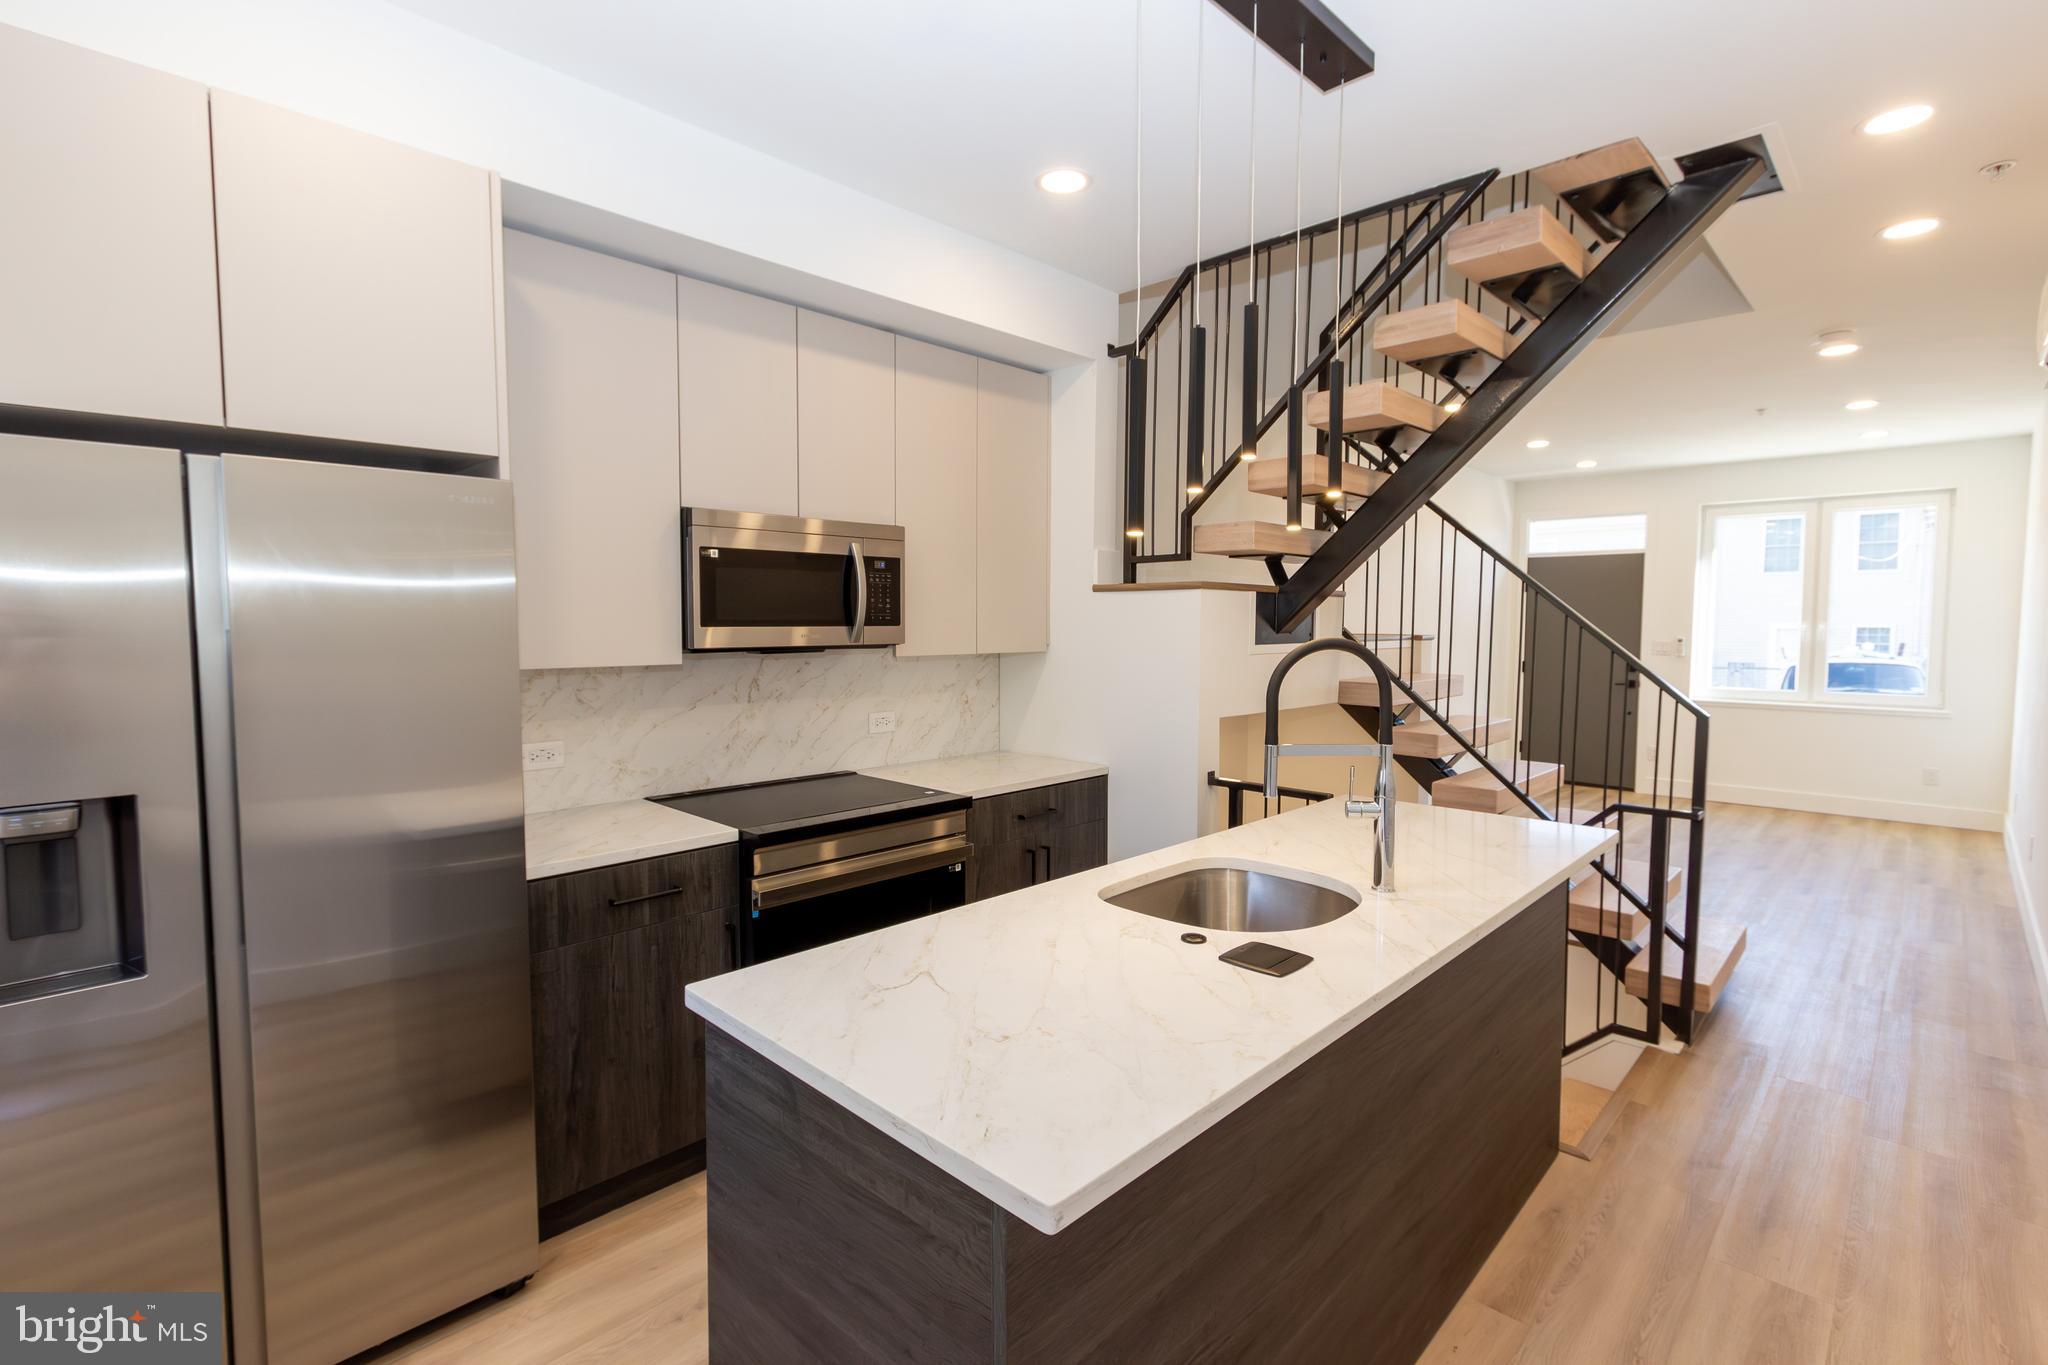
x=1834, y=601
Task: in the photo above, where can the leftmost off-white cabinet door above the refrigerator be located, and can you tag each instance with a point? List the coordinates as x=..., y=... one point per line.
x=108, y=296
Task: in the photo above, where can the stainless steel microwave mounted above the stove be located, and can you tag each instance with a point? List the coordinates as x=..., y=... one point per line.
x=753, y=580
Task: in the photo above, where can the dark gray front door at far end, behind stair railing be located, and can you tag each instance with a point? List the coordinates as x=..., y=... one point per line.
x=1582, y=697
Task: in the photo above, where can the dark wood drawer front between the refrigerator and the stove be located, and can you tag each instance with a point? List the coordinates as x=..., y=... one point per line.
x=587, y=906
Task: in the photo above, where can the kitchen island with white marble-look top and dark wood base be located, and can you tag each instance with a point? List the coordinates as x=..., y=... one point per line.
x=1046, y=1129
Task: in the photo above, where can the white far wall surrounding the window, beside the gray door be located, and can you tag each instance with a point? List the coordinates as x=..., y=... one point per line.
x=1832, y=758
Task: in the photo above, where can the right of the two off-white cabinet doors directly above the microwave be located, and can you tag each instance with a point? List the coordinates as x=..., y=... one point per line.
x=845, y=421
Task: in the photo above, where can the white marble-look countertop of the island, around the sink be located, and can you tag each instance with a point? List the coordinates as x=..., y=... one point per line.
x=1048, y=1047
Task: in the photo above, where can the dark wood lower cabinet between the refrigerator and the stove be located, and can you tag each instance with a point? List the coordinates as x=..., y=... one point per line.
x=620, y=1059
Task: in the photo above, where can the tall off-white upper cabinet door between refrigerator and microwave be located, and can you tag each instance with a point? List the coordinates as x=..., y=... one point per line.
x=591, y=361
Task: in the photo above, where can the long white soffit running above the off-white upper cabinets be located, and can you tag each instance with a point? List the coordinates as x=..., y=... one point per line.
x=384, y=71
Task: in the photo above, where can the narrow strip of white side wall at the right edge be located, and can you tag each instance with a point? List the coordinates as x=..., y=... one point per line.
x=2026, y=828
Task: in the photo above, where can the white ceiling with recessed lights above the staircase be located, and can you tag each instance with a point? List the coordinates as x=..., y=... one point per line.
x=953, y=107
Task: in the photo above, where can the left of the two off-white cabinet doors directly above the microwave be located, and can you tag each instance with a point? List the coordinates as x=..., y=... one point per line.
x=738, y=357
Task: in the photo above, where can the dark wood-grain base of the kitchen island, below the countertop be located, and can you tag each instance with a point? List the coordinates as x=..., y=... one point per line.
x=1336, y=1217
